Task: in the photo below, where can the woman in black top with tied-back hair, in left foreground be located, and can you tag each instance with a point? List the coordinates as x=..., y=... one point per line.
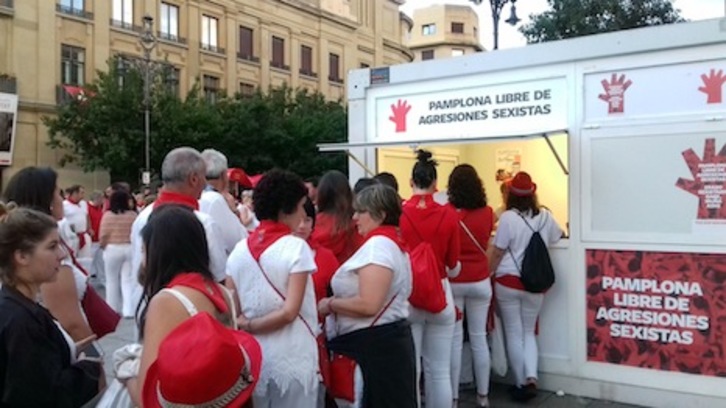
x=40, y=365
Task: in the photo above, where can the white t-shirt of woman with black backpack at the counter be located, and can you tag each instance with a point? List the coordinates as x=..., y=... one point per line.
x=514, y=234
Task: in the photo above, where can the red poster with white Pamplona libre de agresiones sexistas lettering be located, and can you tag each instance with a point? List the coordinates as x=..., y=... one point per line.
x=657, y=310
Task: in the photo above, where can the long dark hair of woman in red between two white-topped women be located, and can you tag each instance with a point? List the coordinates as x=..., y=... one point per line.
x=336, y=198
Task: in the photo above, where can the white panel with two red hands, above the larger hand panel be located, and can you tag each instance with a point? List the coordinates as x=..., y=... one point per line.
x=656, y=91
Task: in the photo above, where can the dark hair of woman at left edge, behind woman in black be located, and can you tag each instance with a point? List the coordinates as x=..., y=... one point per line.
x=32, y=187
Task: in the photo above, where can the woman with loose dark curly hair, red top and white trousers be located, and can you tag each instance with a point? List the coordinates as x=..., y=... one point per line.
x=472, y=288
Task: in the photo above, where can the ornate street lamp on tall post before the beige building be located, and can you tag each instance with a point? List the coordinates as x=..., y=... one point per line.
x=148, y=70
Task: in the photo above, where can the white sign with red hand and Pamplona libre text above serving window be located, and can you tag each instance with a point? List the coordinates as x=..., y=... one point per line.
x=514, y=109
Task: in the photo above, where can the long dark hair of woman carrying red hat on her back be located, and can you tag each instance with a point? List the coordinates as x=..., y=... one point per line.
x=175, y=243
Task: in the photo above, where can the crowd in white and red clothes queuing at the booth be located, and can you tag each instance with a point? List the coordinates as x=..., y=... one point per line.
x=238, y=293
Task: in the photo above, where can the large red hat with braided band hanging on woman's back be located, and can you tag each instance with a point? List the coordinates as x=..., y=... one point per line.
x=203, y=364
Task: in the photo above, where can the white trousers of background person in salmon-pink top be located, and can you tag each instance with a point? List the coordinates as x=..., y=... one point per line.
x=119, y=279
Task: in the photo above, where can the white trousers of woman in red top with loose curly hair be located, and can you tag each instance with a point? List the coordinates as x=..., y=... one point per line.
x=474, y=299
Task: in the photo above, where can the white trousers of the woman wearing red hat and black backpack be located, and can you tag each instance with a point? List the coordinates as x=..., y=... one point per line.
x=519, y=310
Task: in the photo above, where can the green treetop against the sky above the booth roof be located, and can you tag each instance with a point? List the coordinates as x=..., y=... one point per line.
x=576, y=18
